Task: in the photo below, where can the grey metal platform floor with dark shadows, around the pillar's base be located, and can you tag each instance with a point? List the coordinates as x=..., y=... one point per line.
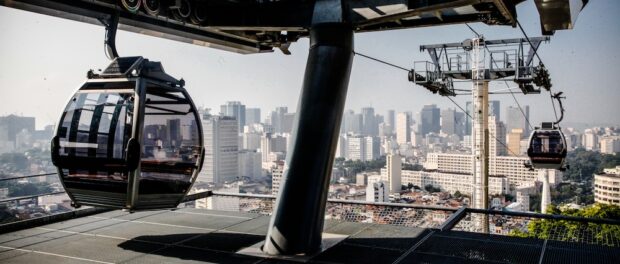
x=197, y=235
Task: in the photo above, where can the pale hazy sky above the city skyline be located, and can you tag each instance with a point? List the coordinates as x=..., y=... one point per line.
x=44, y=59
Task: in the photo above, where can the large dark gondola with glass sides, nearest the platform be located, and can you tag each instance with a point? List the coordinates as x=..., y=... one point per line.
x=129, y=138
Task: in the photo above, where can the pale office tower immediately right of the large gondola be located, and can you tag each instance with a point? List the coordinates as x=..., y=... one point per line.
x=221, y=150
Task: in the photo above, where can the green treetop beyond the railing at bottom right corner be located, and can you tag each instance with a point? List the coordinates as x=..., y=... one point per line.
x=572, y=230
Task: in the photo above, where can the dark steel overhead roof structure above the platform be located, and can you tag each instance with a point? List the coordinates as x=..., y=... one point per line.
x=253, y=26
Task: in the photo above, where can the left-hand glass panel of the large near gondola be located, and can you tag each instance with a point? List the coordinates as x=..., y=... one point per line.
x=92, y=136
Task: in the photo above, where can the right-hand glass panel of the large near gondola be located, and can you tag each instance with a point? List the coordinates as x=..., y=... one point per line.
x=171, y=145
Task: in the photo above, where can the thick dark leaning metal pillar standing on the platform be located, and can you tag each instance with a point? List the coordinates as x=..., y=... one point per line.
x=297, y=223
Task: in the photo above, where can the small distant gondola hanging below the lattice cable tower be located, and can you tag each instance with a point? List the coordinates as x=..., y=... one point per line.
x=547, y=148
